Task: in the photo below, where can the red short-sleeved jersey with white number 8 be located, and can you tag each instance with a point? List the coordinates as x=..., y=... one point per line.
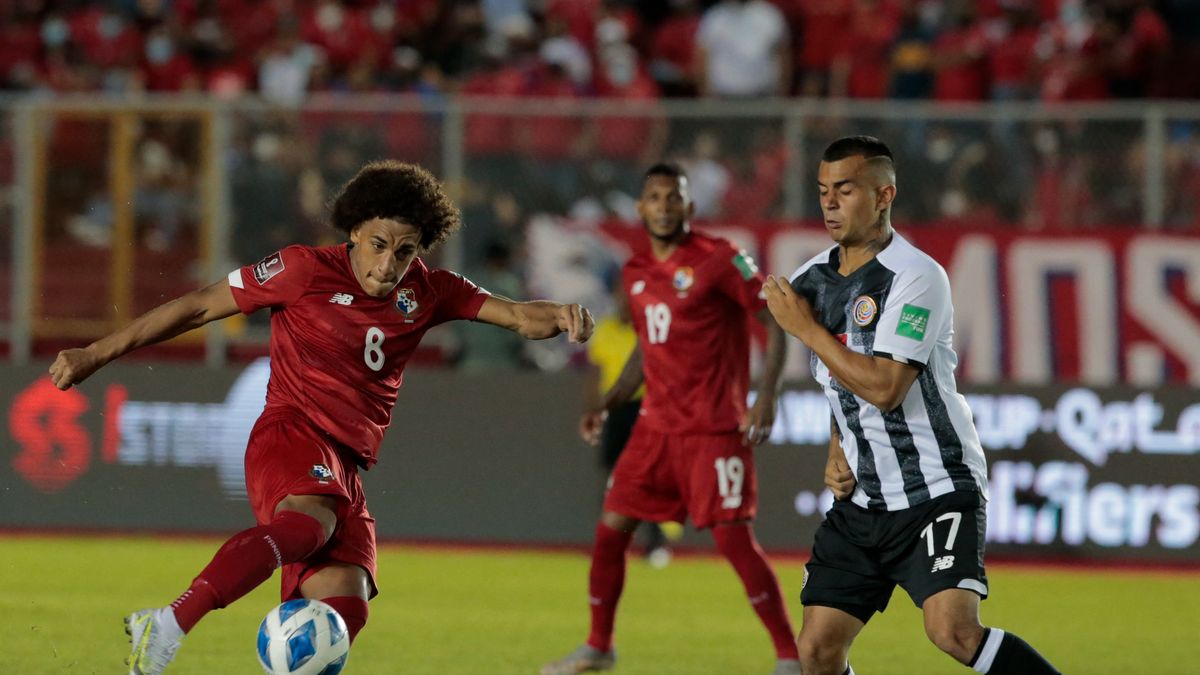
x=338, y=355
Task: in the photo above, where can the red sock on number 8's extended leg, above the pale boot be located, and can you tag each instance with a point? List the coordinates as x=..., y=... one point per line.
x=245, y=561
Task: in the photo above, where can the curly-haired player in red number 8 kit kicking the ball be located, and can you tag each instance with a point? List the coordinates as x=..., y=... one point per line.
x=345, y=321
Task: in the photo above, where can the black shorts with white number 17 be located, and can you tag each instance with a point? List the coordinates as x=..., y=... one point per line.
x=860, y=555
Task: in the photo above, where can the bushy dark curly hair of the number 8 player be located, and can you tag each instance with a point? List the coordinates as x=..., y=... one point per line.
x=400, y=192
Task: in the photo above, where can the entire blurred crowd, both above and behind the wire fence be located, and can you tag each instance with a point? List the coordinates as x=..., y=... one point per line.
x=316, y=88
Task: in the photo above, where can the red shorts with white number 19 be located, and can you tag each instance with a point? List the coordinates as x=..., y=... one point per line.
x=662, y=477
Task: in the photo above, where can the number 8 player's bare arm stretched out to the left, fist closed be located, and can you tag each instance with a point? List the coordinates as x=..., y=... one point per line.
x=164, y=322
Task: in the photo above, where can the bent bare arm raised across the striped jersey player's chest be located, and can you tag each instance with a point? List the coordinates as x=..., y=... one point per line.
x=880, y=381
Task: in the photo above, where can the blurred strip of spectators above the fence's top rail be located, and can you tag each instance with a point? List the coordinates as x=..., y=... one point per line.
x=284, y=50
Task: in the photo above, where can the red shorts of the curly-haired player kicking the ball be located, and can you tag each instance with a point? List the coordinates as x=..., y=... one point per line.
x=287, y=456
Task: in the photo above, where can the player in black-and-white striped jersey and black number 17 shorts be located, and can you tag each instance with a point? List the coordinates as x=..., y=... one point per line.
x=905, y=461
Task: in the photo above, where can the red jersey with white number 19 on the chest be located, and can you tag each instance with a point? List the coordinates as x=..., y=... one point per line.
x=691, y=313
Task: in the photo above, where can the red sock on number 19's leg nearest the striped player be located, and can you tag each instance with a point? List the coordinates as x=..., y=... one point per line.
x=739, y=546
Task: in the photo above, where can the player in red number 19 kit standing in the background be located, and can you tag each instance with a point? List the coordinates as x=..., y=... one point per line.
x=692, y=451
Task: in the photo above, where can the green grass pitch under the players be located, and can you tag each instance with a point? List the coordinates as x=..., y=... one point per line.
x=487, y=612
